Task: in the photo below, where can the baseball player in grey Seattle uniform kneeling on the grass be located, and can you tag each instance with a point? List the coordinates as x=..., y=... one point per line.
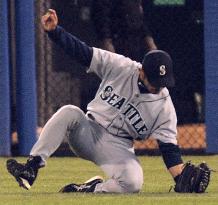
x=132, y=103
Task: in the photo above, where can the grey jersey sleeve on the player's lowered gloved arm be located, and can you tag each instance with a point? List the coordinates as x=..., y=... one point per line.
x=166, y=125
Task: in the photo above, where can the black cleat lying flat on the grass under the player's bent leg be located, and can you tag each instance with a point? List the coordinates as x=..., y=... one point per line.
x=88, y=186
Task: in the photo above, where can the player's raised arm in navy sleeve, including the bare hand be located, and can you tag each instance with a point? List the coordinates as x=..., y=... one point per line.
x=74, y=47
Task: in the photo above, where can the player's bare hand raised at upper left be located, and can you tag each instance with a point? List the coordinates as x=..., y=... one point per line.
x=49, y=20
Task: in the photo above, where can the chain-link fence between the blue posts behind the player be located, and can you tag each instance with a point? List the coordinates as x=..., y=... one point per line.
x=176, y=25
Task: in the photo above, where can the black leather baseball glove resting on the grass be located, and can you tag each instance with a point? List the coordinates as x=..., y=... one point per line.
x=193, y=178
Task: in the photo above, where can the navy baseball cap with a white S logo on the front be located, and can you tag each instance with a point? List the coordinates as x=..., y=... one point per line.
x=158, y=67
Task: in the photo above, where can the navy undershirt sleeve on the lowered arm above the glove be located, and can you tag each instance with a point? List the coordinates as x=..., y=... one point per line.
x=171, y=154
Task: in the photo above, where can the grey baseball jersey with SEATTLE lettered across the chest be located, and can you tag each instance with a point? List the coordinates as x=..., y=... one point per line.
x=120, y=107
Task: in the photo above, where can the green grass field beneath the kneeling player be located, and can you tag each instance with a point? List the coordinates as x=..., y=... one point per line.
x=61, y=171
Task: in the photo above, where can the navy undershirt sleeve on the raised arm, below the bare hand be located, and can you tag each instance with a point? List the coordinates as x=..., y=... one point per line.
x=74, y=47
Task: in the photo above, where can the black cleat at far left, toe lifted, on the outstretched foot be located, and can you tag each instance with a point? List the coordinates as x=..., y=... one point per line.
x=25, y=174
